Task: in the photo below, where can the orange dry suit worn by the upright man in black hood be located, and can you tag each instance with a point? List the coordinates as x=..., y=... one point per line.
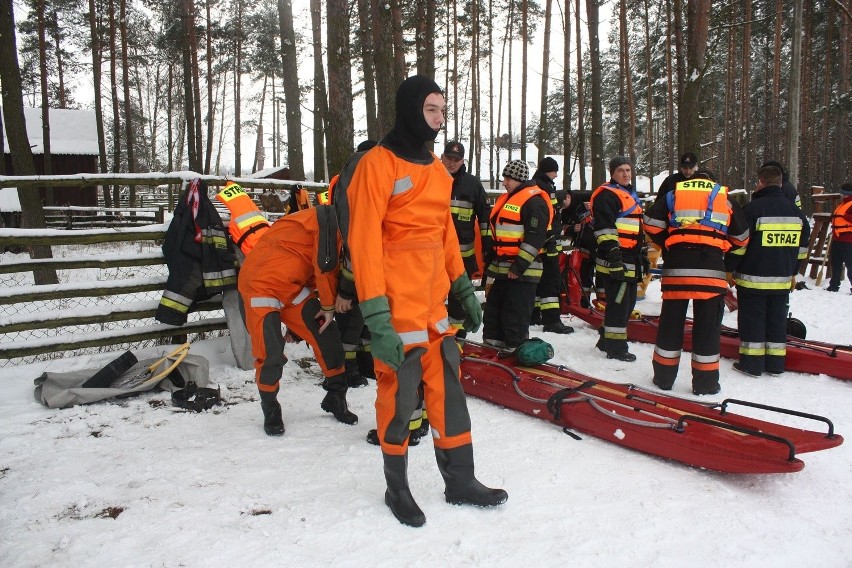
x=403, y=247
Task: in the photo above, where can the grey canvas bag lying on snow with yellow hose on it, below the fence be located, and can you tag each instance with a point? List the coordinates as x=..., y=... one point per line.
x=62, y=390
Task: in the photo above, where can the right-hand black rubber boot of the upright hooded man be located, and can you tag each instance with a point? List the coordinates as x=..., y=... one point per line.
x=456, y=466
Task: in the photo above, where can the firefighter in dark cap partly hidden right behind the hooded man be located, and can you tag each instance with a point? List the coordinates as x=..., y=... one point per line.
x=470, y=210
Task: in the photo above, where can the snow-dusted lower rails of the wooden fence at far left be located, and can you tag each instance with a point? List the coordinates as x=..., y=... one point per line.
x=107, y=295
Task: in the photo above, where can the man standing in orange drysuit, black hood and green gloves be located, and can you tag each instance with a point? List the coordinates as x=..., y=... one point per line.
x=406, y=259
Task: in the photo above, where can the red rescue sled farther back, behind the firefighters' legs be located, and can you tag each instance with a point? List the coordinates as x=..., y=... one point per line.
x=803, y=355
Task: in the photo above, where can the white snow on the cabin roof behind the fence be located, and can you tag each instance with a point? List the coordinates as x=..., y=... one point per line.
x=71, y=132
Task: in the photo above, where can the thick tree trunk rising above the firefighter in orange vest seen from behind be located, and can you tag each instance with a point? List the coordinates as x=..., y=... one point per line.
x=689, y=123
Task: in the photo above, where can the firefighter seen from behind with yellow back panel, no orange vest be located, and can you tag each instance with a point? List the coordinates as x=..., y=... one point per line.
x=763, y=270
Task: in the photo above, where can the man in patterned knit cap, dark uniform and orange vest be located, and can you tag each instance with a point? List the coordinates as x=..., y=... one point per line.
x=519, y=223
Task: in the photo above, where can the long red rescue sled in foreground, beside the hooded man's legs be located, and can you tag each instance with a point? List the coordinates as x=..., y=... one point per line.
x=702, y=435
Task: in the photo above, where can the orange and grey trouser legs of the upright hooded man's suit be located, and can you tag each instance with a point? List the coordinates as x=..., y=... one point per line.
x=438, y=368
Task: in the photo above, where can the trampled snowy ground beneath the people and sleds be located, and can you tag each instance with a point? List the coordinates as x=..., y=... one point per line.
x=140, y=483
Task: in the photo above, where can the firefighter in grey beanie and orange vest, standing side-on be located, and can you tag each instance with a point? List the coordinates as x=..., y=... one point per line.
x=617, y=223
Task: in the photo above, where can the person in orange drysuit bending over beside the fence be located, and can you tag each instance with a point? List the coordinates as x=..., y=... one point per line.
x=277, y=282
